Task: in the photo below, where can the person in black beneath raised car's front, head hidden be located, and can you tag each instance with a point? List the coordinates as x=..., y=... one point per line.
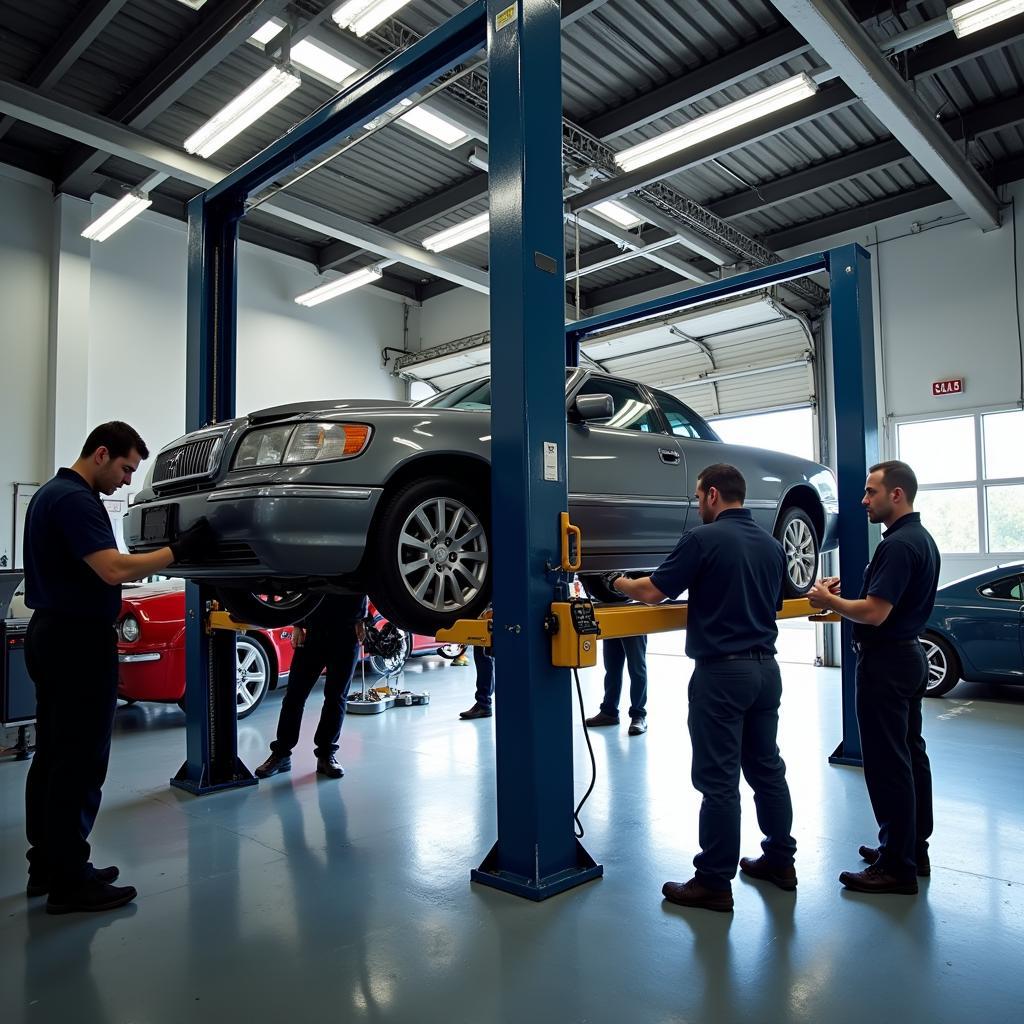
x=328, y=638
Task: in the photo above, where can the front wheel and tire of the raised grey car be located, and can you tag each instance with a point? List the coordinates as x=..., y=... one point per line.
x=424, y=585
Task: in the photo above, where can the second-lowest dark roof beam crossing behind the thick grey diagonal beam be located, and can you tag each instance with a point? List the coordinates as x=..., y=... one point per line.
x=1004, y=114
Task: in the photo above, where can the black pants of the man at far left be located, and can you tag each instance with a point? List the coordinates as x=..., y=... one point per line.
x=74, y=665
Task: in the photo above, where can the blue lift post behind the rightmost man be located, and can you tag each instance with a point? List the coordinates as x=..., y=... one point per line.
x=857, y=448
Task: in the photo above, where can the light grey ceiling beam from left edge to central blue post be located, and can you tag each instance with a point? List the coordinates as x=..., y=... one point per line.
x=116, y=140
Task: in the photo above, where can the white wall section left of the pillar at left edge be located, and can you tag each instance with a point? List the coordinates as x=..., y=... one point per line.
x=26, y=221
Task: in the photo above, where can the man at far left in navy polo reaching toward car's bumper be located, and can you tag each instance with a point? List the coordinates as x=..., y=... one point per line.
x=73, y=575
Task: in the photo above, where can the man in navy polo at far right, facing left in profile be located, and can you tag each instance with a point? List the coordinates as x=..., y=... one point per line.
x=897, y=599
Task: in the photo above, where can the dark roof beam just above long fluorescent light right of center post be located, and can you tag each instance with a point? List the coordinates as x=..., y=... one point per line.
x=752, y=59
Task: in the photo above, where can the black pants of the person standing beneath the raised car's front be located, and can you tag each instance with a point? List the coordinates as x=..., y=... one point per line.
x=337, y=651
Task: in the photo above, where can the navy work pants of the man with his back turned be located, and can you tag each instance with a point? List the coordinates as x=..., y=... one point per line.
x=734, y=723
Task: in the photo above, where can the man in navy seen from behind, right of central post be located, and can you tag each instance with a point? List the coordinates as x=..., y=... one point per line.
x=734, y=572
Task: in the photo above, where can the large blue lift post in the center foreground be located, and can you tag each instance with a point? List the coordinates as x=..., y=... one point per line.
x=537, y=855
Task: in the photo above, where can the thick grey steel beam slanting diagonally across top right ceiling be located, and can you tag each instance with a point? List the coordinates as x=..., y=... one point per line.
x=840, y=40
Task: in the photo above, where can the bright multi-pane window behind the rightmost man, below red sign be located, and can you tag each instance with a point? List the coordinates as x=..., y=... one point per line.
x=971, y=475
